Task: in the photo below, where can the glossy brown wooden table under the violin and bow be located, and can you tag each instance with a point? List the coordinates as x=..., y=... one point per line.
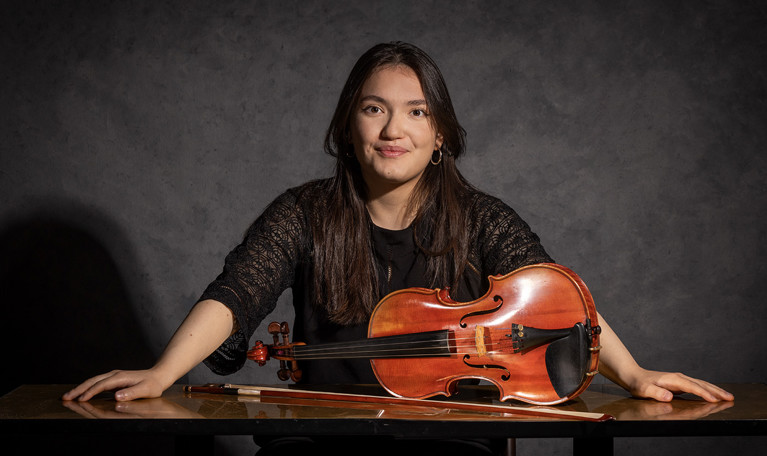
x=193, y=419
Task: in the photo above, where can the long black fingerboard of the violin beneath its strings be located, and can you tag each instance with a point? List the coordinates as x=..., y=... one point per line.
x=431, y=343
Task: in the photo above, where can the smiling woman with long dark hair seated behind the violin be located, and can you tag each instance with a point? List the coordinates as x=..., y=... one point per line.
x=397, y=213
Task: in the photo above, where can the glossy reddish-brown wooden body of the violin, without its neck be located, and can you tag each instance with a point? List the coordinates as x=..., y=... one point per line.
x=544, y=296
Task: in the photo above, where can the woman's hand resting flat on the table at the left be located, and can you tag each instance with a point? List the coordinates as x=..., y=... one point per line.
x=128, y=385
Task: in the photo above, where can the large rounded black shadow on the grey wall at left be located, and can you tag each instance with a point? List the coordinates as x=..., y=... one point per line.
x=67, y=310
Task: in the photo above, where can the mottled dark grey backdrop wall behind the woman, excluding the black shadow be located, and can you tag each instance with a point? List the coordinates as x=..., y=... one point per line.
x=140, y=139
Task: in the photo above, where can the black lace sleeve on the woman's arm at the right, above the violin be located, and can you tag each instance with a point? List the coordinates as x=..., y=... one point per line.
x=506, y=242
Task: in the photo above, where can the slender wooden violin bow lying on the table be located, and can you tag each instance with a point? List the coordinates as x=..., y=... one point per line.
x=265, y=391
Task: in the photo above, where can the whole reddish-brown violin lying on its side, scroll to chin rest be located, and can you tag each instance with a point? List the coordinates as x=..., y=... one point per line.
x=534, y=335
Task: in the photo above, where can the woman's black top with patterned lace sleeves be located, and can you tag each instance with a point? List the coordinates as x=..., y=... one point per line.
x=276, y=254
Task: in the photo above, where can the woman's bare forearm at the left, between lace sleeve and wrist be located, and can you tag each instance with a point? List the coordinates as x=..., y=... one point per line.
x=207, y=326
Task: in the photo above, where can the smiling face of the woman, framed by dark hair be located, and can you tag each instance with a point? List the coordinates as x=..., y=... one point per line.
x=392, y=133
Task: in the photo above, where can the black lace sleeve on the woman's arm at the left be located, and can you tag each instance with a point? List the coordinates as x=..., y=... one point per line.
x=255, y=273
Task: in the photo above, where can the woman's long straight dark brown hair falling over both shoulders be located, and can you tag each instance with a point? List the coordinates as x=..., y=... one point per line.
x=345, y=279
